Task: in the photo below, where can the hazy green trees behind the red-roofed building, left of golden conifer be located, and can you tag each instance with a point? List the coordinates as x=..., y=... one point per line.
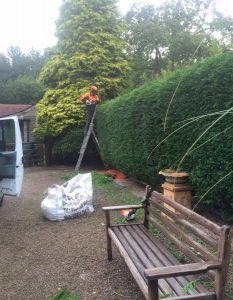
x=18, y=76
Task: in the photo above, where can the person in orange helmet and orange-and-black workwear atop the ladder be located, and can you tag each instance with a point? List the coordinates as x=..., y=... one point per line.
x=91, y=99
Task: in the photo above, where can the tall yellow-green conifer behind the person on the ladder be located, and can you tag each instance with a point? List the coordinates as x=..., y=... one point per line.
x=89, y=51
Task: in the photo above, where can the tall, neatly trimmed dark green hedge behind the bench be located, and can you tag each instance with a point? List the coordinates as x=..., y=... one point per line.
x=129, y=127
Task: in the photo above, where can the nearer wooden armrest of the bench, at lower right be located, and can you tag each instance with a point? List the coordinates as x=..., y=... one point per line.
x=181, y=270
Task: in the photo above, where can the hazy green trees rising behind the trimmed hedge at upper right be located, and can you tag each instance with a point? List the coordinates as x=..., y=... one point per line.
x=174, y=34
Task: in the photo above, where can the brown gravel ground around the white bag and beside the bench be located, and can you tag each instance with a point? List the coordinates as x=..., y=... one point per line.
x=38, y=256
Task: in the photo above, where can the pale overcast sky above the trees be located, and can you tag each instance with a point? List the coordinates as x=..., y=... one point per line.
x=31, y=23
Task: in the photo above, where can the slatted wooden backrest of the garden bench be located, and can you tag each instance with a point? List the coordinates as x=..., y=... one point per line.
x=196, y=237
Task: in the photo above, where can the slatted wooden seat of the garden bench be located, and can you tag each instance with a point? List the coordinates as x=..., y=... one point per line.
x=133, y=238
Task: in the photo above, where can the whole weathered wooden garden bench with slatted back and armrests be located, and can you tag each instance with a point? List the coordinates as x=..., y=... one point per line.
x=158, y=273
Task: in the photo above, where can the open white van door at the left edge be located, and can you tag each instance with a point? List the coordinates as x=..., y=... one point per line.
x=11, y=157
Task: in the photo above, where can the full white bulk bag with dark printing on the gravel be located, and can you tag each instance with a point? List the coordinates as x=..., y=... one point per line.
x=70, y=200
